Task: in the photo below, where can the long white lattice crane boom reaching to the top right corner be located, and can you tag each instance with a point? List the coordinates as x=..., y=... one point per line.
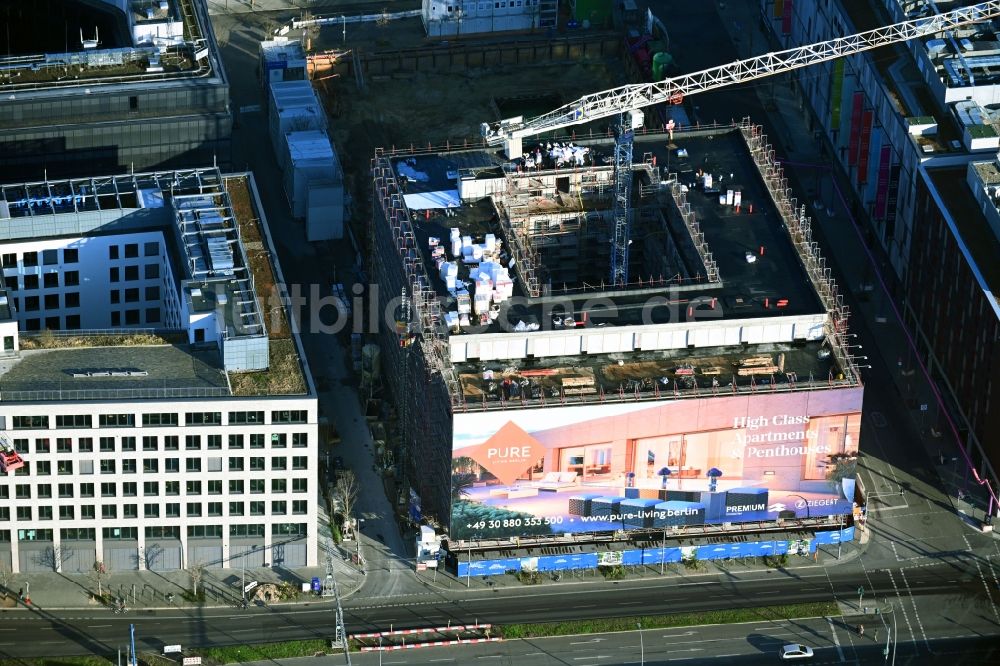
x=631, y=97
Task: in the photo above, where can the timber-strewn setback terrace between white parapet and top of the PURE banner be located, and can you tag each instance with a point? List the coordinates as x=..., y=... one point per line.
x=650, y=375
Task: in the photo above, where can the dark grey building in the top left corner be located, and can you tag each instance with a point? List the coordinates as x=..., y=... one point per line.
x=108, y=86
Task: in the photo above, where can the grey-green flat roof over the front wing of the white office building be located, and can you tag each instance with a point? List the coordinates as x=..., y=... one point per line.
x=112, y=373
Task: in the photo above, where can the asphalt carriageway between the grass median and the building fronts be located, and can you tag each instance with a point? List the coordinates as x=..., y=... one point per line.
x=940, y=587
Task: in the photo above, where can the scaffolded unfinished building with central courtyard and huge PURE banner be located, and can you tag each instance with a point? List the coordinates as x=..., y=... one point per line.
x=537, y=399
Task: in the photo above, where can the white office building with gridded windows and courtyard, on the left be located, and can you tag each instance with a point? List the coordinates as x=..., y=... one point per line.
x=151, y=417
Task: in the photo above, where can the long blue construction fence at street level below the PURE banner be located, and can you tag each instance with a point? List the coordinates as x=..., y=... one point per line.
x=654, y=556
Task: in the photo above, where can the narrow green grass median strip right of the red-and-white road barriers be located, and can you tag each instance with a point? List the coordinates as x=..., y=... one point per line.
x=726, y=616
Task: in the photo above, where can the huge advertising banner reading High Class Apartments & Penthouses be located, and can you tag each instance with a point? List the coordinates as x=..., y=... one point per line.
x=654, y=465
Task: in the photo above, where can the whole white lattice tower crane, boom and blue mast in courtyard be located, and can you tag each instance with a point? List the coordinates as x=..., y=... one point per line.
x=626, y=102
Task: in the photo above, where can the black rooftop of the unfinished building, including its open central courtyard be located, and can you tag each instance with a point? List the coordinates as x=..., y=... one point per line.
x=743, y=264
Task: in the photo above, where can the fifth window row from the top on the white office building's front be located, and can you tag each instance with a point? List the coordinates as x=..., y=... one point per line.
x=153, y=510
